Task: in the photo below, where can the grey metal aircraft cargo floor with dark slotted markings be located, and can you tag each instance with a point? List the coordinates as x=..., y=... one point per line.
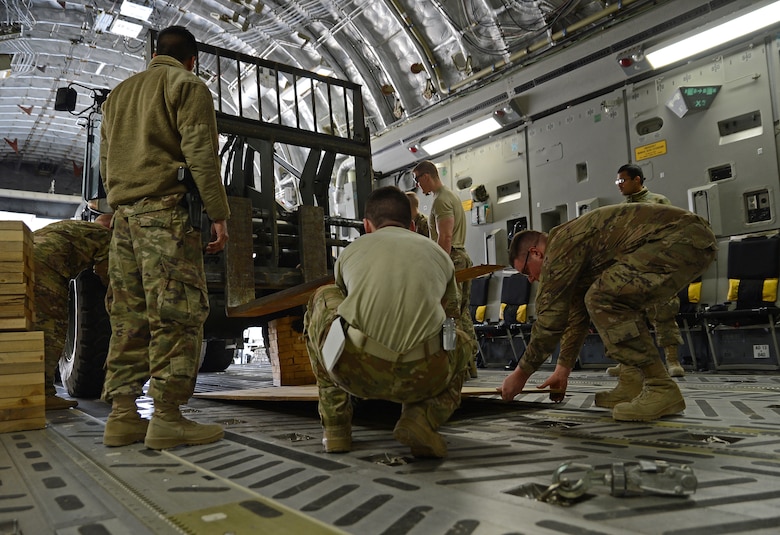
x=269, y=474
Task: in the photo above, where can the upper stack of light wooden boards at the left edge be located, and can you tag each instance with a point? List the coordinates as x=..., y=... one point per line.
x=17, y=277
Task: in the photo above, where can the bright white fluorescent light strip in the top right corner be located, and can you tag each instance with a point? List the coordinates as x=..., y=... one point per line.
x=715, y=36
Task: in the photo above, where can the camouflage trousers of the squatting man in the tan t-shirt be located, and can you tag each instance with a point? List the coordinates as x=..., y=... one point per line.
x=432, y=384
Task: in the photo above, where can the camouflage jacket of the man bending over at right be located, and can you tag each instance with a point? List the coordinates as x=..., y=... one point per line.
x=576, y=254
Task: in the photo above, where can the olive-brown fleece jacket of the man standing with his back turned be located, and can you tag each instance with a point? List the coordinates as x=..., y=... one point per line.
x=141, y=158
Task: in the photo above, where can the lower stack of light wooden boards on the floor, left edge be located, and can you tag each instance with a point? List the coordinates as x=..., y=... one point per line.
x=22, y=393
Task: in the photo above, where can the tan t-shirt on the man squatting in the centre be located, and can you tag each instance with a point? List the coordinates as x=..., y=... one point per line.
x=394, y=280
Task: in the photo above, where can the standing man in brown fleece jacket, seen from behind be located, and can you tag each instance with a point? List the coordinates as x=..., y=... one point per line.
x=155, y=123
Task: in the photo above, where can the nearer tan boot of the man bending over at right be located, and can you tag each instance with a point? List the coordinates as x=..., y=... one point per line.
x=660, y=396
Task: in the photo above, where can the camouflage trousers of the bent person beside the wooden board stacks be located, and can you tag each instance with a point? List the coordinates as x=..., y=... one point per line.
x=51, y=317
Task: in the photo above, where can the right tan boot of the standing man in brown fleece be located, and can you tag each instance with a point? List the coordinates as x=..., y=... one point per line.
x=169, y=429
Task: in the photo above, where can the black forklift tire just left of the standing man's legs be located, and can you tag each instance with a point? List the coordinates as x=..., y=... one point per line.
x=86, y=344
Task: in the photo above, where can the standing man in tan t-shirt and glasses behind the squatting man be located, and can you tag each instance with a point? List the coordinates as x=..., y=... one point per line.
x=448, y=229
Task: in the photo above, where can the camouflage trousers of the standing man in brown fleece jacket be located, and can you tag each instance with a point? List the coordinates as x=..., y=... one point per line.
x=157, y=301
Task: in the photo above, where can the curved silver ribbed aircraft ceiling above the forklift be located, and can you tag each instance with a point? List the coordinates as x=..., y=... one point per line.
x=408, y=55
